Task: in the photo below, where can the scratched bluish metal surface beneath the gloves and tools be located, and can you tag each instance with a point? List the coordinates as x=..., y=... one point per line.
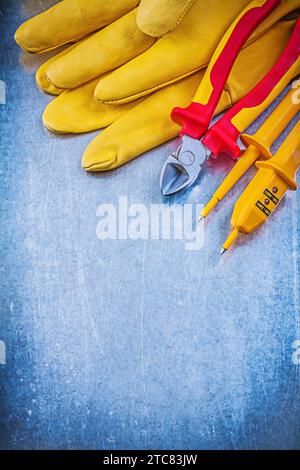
x=133, y=344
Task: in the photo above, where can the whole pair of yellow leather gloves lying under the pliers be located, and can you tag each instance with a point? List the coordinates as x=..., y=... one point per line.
x=132, y=61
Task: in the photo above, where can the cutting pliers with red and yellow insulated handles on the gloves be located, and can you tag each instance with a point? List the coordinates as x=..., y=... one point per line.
x=199, y=142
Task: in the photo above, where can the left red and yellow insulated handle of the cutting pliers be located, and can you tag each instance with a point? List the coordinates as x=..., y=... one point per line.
x=196, y=118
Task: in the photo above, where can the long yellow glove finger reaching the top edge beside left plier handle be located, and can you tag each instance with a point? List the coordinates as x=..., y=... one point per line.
x=181, y=52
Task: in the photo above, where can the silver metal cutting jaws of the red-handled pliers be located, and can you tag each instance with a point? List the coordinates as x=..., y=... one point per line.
x=183, y=167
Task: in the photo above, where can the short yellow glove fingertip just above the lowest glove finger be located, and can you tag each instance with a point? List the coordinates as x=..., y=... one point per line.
x=76, y=111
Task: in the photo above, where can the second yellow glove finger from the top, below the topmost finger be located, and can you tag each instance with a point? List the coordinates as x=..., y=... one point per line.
x=102, y=52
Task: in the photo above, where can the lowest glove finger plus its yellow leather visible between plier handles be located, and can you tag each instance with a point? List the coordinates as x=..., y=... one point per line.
x=149, y=124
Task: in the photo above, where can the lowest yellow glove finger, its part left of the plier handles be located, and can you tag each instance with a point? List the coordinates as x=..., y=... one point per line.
x=144, y=127
